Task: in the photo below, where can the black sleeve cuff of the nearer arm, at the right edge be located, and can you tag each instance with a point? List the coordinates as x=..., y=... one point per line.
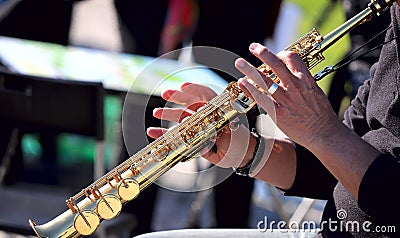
x=375, y=195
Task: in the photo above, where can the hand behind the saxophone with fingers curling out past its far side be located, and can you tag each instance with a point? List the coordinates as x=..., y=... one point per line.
x=231, y=146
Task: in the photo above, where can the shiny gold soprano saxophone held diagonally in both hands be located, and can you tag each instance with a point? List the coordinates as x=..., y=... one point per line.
x=103, y=199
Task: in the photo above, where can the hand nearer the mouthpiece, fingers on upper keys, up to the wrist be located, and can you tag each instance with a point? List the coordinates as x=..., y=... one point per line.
x=299, y=107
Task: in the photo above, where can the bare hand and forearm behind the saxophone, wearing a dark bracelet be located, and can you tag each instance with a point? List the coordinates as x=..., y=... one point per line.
x=280, y=167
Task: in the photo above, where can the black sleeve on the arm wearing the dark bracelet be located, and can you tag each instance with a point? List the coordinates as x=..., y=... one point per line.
x=312, y=180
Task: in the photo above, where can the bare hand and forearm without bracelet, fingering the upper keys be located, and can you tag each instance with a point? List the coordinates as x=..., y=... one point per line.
x=304, y=114
